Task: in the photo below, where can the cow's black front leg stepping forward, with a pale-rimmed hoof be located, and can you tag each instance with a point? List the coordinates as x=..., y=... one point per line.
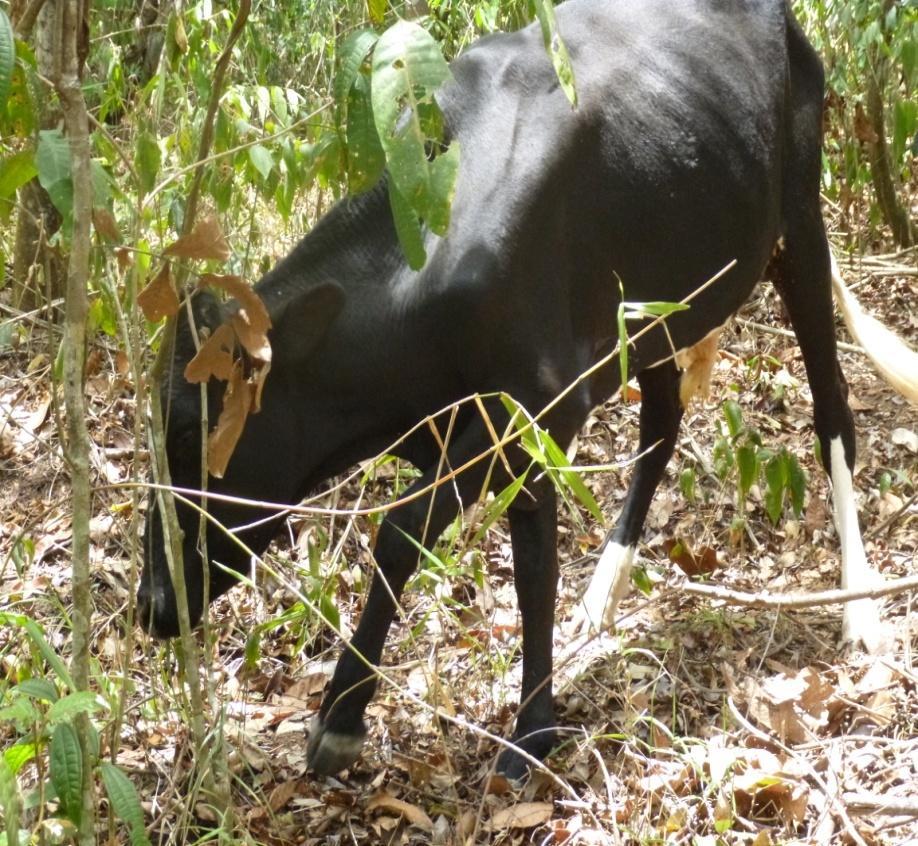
x=338, y=731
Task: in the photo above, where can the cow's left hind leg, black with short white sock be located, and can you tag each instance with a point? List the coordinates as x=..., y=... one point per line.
x=661, y=412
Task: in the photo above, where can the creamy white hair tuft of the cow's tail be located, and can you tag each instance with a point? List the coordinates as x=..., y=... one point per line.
x=896, y=362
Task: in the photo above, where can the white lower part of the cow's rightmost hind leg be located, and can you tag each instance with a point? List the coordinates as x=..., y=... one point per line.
x=861, y=621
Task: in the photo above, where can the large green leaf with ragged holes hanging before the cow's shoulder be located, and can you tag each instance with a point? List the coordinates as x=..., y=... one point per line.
x=408, y=68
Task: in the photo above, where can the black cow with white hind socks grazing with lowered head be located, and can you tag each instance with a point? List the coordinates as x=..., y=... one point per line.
x=696, y=143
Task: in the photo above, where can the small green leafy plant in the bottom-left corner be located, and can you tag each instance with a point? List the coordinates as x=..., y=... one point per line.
x=42, y=711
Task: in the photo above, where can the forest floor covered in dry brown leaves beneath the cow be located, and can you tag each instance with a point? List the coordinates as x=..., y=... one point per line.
x=696, y=722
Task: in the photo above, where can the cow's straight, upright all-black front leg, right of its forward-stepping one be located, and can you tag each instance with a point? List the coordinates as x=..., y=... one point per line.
x=534, y=533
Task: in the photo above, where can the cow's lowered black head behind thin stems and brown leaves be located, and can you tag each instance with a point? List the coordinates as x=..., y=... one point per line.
x=265, y=464
